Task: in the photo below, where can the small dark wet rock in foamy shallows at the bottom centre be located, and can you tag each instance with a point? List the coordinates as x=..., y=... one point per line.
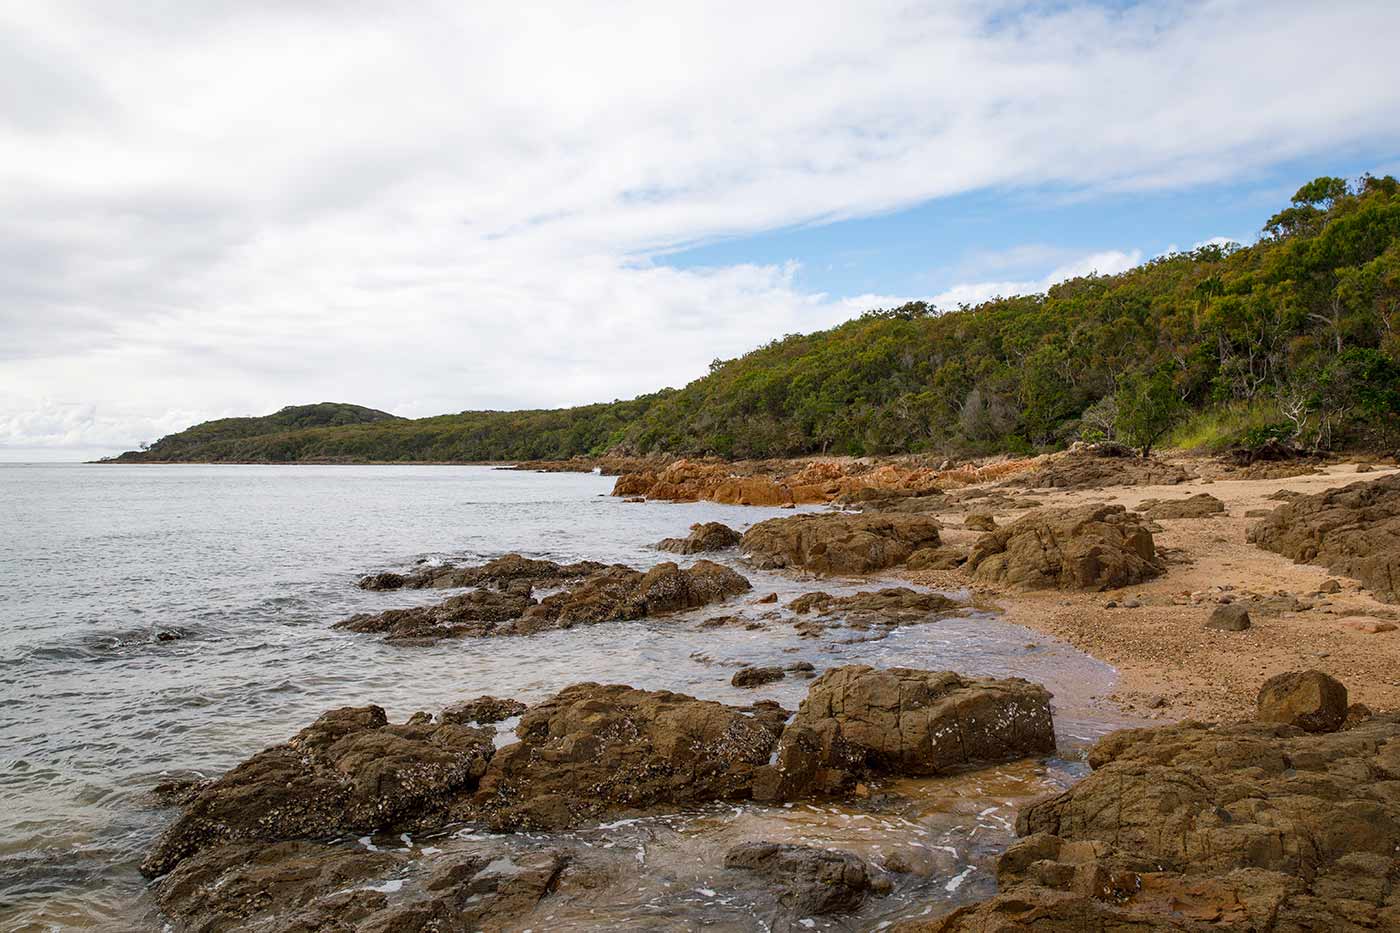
x=810, y=882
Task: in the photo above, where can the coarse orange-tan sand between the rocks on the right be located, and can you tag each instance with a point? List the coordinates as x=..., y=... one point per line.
x=1170, y=666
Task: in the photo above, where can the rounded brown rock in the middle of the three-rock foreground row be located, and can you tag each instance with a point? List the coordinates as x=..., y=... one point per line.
x=597, y=750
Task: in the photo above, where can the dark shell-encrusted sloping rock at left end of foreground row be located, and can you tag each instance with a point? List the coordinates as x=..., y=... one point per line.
x=351, y=771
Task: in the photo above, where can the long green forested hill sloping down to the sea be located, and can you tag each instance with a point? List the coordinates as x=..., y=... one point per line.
x=1297, y=337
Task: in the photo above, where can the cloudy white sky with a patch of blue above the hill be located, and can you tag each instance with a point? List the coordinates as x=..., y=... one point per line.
x=215, y=208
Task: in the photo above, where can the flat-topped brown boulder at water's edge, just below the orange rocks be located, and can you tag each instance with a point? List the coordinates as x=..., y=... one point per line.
x=839, y=543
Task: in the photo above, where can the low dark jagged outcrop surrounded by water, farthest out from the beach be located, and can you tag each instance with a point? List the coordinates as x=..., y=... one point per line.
x=611, y=595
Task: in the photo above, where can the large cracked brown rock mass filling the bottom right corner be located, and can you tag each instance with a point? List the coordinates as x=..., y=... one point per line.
x=1196, y=827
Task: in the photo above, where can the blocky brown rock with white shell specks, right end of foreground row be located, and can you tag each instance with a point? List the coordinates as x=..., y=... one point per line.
x=860, y=722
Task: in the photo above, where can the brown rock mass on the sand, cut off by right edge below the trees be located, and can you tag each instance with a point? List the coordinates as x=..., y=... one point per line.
x=1354, y=532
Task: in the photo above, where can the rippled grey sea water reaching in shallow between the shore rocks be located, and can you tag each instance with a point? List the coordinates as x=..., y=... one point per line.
x=250, y=567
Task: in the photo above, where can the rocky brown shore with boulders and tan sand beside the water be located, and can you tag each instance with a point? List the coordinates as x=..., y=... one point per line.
x=1248, y=610
